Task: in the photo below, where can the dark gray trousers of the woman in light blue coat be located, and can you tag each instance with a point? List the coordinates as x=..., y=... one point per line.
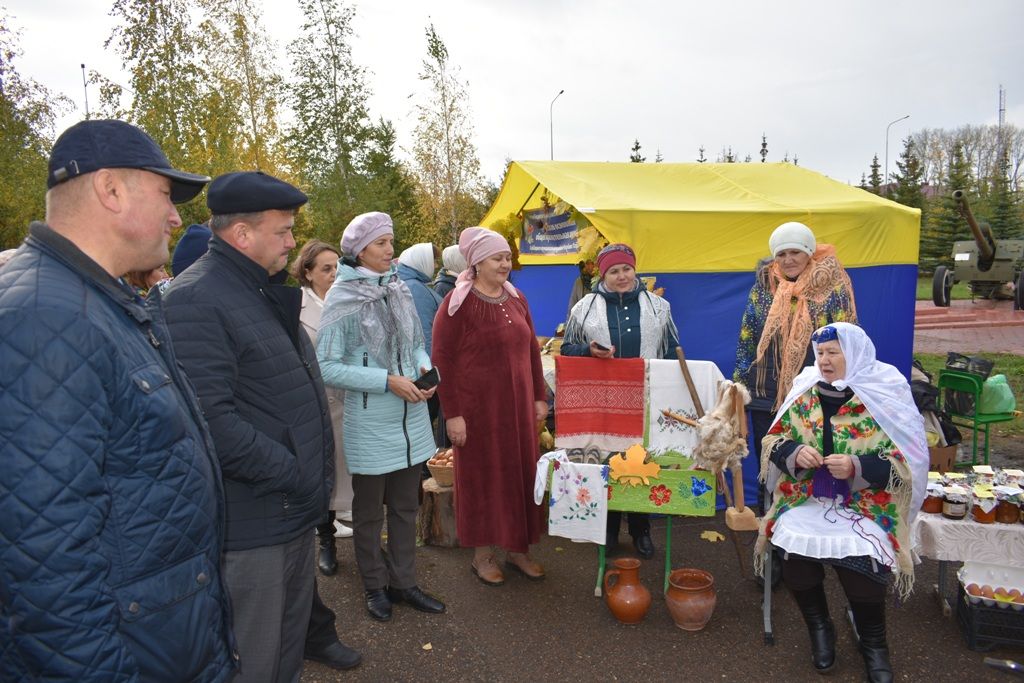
x=400, y=491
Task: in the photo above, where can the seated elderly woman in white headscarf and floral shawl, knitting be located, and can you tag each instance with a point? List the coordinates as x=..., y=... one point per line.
x=847, y=461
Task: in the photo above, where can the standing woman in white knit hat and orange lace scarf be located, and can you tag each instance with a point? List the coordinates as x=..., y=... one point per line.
x=802, y=288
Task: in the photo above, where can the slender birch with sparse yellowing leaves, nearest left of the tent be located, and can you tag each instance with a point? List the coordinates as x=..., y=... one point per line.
x=445, y=157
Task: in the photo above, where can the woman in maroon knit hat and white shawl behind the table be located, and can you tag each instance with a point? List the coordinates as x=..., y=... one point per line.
x=622, y=320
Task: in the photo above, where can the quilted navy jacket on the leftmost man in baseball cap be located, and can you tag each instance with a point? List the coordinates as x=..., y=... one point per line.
x=111, y=513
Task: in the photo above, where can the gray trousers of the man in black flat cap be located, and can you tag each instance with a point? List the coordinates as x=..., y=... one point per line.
x=272, y=591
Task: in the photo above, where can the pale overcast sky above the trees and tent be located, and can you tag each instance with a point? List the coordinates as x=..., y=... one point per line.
x=822, y=82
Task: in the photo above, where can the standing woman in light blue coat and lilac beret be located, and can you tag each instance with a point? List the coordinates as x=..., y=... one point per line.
x=371, y=345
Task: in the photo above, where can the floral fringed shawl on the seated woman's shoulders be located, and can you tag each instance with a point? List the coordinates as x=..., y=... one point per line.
x=856, y=434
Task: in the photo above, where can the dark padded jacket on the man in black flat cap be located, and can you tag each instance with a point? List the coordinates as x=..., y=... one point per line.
x=255, y=371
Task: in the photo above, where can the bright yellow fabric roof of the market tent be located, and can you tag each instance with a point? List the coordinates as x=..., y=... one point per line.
x=711, y=218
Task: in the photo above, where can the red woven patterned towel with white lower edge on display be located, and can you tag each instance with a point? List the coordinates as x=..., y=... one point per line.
x=600, y=403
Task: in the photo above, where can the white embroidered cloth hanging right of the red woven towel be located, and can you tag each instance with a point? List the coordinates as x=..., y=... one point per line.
x=668, y=392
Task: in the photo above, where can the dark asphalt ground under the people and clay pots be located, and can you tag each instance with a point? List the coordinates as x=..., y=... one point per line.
x=558, y=630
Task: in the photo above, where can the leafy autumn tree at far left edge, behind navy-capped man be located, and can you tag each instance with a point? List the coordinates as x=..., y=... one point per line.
x=28, y=112
